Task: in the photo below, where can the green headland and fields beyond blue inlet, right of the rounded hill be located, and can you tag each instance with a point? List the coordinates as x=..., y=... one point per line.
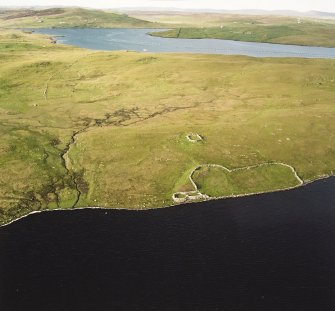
x=271, y=29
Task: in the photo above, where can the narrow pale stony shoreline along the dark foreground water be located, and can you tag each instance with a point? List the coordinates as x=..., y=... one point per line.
x=306, y=183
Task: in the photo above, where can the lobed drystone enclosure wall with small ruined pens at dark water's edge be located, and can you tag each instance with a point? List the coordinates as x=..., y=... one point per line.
x=182, y=197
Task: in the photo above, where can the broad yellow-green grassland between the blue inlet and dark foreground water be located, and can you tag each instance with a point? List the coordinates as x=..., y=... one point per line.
x=83, y=128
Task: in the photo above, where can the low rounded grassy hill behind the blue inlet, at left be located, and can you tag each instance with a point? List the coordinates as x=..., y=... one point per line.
x=70, y=17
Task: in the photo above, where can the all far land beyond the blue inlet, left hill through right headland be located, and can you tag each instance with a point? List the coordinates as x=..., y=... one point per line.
x=272, y=29
